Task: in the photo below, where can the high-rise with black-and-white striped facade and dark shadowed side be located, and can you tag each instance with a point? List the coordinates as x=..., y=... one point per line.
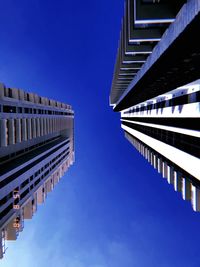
x=156, y=88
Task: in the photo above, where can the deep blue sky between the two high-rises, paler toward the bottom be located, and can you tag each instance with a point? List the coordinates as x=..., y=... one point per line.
x=111, y=209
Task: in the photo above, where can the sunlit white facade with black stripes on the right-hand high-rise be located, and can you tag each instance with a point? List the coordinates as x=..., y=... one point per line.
x=159, y=130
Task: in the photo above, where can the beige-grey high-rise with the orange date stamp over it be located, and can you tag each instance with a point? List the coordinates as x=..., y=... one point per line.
x=36, y=149
